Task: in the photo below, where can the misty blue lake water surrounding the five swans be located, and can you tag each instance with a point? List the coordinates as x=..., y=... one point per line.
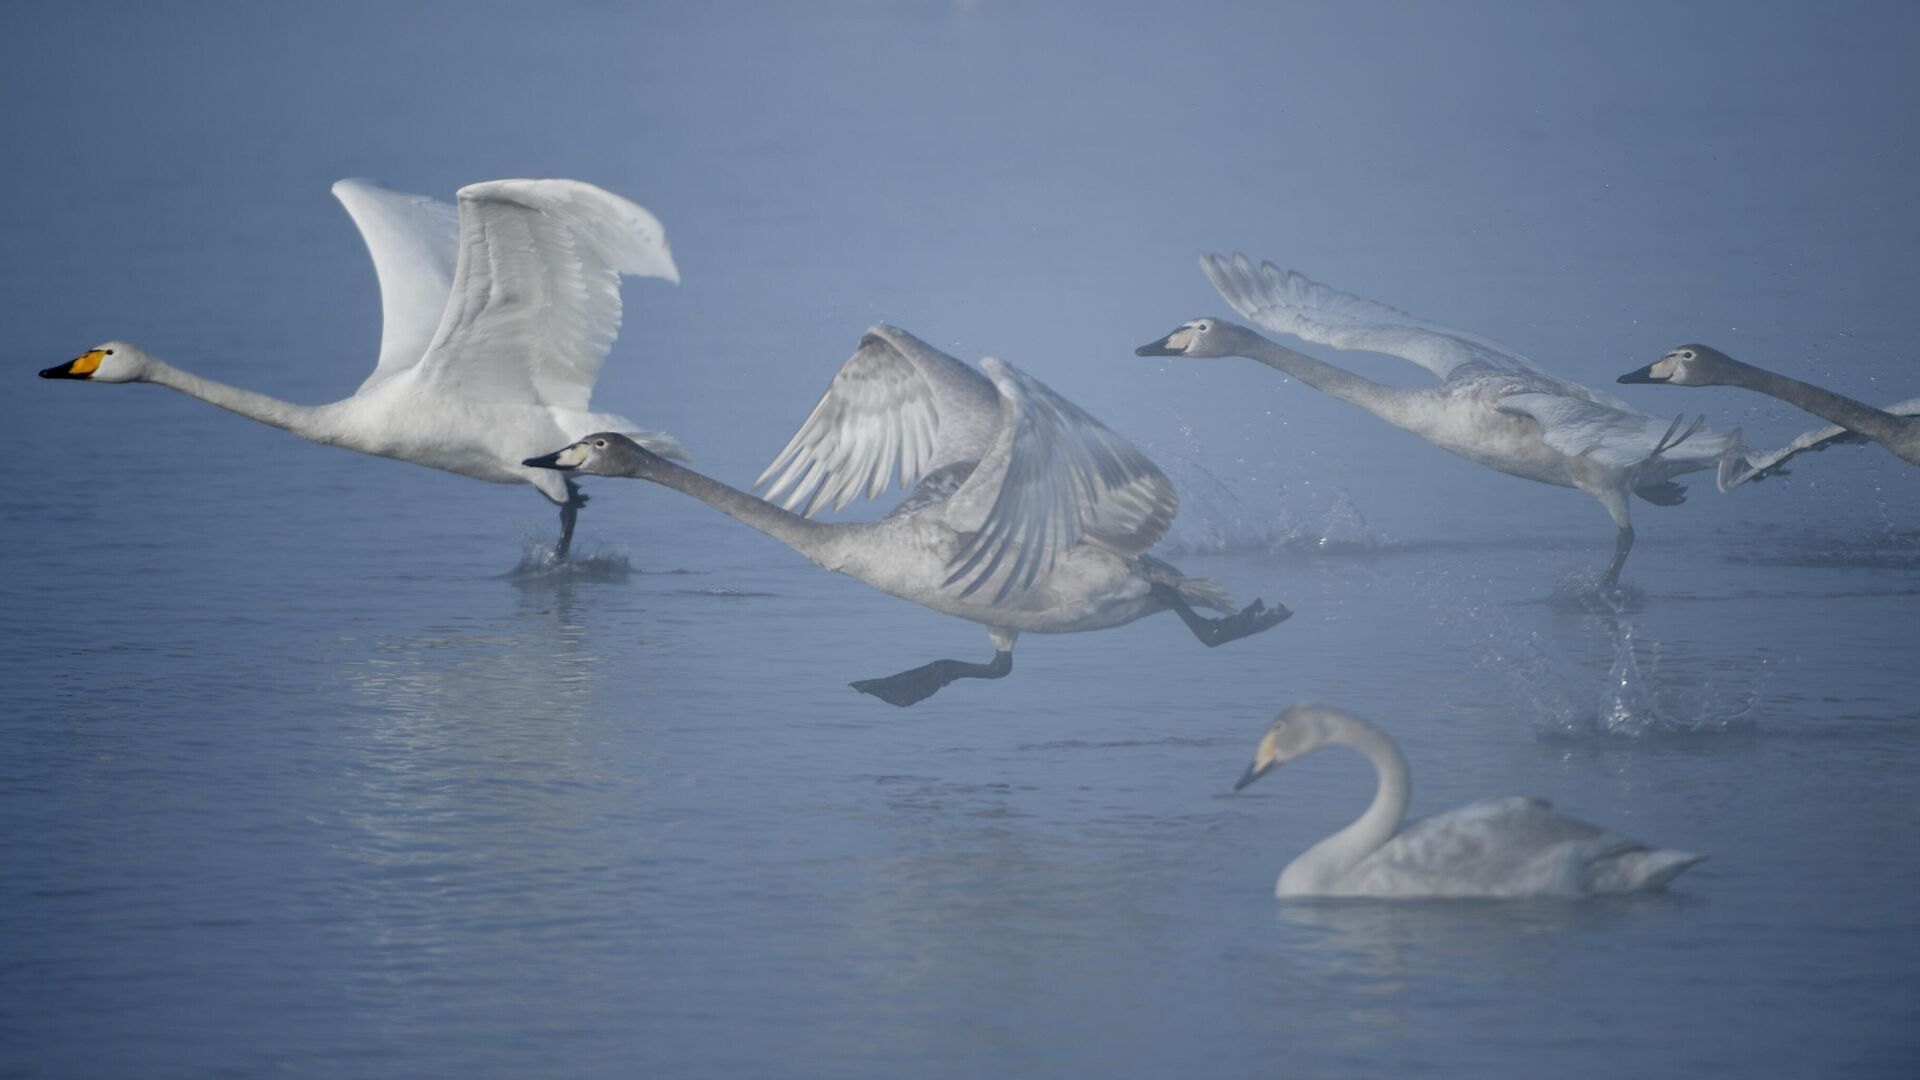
x=299, y=777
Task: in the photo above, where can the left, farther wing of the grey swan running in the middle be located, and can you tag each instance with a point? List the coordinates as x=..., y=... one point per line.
x=898, y=406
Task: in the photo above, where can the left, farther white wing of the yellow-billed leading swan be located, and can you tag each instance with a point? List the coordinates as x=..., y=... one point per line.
x=414, y=243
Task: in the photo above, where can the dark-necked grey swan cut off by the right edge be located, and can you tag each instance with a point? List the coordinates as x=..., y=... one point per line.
x=1896, y=428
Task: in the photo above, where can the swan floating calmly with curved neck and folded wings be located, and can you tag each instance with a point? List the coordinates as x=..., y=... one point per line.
x=1497, y=848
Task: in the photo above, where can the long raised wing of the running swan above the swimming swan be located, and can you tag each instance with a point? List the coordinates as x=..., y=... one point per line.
x=1289, y=303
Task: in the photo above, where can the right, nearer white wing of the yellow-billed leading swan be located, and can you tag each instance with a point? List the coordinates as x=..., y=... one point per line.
x=537, y=295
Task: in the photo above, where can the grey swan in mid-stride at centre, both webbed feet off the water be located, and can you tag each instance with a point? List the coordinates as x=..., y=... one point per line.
x=1026, y=516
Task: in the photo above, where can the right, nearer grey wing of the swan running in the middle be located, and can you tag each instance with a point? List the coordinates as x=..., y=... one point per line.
x=1053, y=478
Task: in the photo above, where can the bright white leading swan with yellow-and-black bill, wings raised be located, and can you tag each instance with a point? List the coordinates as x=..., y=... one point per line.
x=496, y=324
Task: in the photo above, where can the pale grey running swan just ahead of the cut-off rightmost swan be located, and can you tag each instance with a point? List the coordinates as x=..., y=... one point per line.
x=1493, y=405
